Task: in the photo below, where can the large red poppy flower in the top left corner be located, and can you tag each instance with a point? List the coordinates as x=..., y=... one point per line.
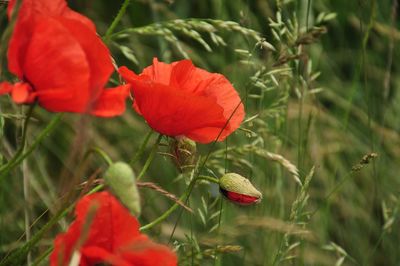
x=61, y=61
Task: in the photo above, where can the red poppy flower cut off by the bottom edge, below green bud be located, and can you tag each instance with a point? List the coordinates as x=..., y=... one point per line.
x=105, y=232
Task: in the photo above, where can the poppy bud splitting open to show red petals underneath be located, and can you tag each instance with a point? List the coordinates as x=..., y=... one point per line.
x=238, y=189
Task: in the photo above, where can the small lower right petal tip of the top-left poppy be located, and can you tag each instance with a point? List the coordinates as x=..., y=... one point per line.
x=111, y=102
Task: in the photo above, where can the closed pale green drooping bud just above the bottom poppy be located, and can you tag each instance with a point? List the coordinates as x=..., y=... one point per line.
x=121, y=179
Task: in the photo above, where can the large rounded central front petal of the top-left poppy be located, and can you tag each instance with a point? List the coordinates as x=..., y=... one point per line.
x=62, y=83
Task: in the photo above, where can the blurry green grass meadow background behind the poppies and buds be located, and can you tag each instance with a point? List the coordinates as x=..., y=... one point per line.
x=325, y=96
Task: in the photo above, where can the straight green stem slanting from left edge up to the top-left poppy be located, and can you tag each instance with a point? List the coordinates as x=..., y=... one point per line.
x=14, y=162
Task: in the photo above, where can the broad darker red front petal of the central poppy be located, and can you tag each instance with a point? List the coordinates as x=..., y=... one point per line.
x=174, y=112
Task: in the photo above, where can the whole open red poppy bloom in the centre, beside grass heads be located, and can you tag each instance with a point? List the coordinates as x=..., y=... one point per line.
x=180, y=99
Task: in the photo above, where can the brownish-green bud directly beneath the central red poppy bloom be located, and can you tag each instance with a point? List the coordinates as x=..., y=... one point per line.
x=184, y=152
